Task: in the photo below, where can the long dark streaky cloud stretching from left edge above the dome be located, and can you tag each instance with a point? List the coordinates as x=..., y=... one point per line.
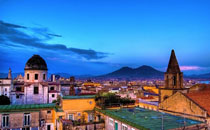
x=11, y=35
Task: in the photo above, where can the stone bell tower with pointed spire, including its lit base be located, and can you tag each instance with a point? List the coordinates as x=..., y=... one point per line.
x=173, y=78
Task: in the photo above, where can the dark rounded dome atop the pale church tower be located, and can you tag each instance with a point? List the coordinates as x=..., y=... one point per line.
x=36, y=62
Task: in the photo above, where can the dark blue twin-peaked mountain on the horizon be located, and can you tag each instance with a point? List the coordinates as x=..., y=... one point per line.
x=142, y=72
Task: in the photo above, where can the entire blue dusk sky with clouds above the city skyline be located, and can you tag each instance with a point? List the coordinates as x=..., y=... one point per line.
x=99, y=36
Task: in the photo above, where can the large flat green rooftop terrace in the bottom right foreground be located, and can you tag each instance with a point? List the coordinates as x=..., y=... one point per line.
x=148, y=120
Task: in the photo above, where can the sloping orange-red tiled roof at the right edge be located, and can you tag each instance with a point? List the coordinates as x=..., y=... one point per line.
x=202, y=98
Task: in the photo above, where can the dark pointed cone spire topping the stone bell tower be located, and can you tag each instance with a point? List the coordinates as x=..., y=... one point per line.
x=173, y=66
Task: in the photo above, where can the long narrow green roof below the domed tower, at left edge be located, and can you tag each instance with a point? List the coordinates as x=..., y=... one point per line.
x=11, y=108
